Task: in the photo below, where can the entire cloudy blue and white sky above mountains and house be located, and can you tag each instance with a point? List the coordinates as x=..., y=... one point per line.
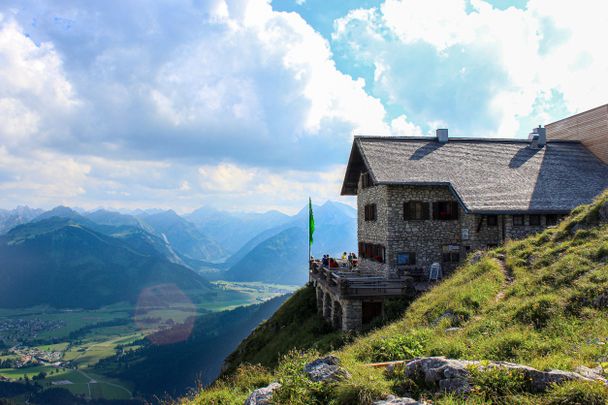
x=251, y=105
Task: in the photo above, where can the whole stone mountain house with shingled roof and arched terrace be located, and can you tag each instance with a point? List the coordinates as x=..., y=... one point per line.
x=427, y=200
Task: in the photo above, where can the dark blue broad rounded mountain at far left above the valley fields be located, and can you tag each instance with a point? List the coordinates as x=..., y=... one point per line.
x=62, y=263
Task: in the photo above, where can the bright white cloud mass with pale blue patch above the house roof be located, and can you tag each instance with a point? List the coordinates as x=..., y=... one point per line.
x=507, y=68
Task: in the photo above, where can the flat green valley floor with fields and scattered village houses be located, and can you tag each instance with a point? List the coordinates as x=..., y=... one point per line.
x=81, y=338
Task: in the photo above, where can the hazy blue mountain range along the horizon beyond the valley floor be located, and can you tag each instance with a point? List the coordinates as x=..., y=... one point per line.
x=62, y=257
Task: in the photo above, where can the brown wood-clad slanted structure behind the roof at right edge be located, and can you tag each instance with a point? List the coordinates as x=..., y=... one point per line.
x=589, y=127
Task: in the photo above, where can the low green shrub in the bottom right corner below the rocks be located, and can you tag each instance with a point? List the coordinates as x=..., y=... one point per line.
x=578, y=393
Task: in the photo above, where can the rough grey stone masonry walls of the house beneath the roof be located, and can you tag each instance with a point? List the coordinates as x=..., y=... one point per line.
x=430, y=239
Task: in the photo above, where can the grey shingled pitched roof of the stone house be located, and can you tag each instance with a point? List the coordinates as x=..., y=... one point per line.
x=486, y=175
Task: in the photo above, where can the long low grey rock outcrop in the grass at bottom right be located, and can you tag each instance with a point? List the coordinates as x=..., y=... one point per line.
x=450, y=375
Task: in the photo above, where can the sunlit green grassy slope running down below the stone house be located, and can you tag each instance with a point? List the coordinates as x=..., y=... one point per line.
x=552, y=314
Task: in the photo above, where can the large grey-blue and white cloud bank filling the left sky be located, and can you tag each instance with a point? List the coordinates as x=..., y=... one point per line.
x=137, y=108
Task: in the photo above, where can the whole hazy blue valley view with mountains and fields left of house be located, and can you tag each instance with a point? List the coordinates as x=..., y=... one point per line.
x=111, y=295
